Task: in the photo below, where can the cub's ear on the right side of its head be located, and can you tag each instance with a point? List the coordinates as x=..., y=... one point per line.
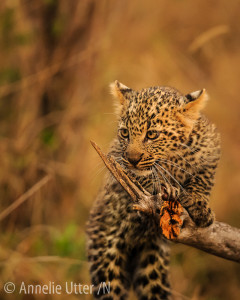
x=196, y=101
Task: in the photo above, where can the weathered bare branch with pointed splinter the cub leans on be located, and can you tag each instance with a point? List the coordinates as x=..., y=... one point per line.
x=219, y=239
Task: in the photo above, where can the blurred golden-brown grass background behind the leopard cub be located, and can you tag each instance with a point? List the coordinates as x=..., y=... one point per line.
x=57, y=60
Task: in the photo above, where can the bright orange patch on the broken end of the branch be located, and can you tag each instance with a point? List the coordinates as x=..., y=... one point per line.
x=170, y=221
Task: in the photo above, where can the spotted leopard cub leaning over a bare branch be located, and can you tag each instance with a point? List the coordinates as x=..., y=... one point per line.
x=162, y=139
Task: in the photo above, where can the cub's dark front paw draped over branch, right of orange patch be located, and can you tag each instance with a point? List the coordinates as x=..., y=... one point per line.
x=202, y=216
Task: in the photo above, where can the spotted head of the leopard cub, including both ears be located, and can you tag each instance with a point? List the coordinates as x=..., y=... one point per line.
x=154, y=123
